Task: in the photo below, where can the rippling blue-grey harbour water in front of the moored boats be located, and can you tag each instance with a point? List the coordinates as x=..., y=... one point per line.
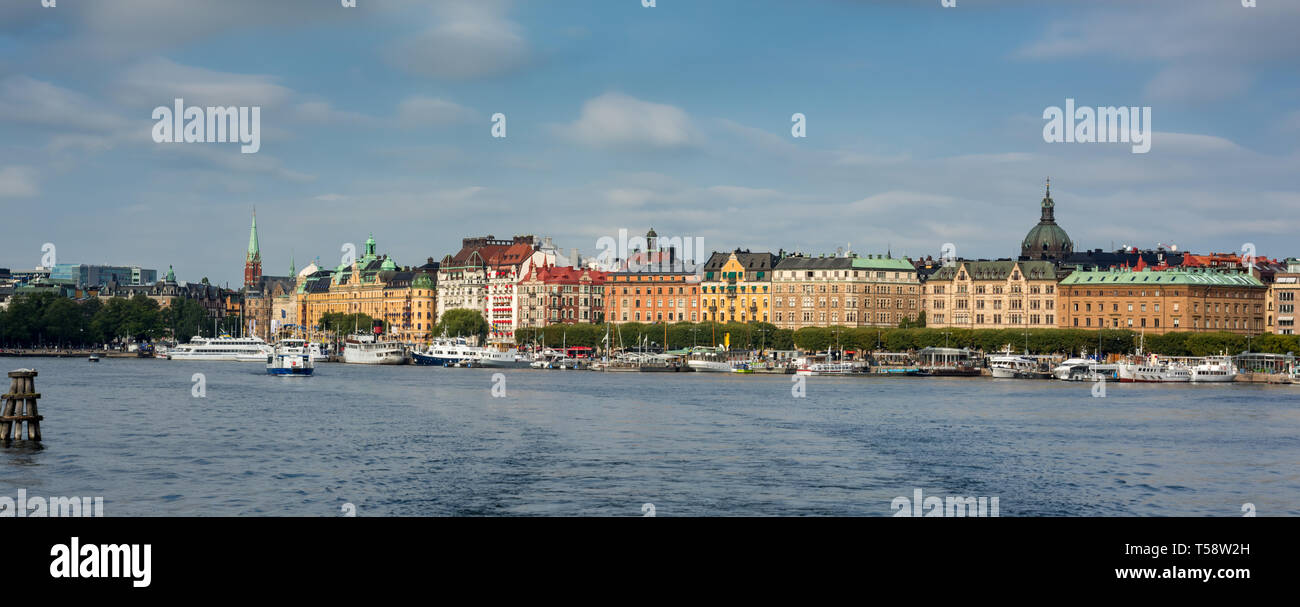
x=397, y=441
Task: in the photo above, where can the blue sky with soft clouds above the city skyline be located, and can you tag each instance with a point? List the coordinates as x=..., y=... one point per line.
x=924, y=127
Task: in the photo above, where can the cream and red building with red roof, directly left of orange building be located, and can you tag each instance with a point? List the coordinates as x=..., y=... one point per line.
x=552, y=296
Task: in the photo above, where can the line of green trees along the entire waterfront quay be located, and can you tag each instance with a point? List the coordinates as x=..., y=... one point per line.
x=46, y=320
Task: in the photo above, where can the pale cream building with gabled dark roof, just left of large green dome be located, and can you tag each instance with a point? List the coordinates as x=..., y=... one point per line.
x=1003, y=294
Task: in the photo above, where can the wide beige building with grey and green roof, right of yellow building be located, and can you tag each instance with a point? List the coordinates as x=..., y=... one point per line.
x=877, y=291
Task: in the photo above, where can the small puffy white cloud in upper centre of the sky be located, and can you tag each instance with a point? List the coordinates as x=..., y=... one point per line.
x=617, y=120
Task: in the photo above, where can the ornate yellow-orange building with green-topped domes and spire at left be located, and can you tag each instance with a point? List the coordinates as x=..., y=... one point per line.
x=405, y=300
